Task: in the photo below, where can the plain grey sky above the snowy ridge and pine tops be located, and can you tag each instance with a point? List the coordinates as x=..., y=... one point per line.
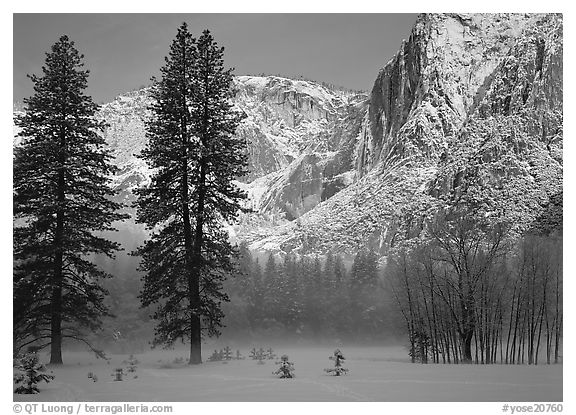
x=123, y=51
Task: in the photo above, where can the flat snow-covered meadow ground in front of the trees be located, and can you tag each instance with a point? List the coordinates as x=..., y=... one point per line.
x=376, y=374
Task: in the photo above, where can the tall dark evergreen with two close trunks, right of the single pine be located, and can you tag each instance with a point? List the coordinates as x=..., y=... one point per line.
x=195, y=157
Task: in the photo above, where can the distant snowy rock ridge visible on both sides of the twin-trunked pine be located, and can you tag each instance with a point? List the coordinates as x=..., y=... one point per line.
x=300, y=139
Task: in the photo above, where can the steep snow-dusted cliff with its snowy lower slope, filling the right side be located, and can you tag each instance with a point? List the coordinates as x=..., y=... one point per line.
x=455, y=77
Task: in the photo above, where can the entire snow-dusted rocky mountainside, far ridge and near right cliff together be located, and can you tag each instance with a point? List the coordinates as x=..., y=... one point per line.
x=329, y=168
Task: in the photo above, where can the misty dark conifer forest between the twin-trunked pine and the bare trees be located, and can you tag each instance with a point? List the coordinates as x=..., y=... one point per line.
x=309, y=297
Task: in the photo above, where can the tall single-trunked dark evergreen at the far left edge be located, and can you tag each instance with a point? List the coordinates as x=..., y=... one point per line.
x=62, y=203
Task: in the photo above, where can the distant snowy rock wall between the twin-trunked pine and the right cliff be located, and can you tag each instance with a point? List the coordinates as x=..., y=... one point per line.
x=296, y=125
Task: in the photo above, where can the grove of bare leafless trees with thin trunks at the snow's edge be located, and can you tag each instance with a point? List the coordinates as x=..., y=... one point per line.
x=511, y=313
